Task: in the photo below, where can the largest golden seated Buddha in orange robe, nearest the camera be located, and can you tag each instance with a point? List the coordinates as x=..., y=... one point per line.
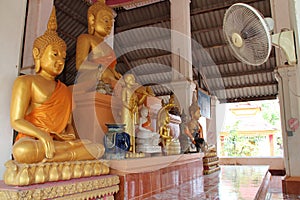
x=41, y=108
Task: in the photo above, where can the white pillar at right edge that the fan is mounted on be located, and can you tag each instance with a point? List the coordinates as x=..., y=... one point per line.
x=289, y=92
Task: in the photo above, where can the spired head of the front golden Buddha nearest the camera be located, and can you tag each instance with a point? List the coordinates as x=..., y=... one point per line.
x=49, y=49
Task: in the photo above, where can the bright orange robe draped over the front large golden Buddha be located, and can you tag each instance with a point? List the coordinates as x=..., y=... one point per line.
x=53, y=114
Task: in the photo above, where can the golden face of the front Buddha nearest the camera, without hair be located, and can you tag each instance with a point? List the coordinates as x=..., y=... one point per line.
x=53, y=59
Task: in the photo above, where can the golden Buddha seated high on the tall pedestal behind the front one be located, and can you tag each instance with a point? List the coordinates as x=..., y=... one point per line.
x=93, y=54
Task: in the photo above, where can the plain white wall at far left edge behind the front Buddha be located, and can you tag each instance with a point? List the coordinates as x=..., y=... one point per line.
x=12, y=16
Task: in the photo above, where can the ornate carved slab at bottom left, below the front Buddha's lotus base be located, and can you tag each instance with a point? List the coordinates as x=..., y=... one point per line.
x=97, y=187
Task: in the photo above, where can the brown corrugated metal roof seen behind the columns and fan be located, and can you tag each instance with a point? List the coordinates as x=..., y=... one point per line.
x=146, y=51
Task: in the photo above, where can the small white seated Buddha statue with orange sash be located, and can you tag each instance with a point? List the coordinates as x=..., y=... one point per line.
x=147, y=140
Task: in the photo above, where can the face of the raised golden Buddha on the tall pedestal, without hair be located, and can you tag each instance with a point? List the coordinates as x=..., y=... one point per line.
x=103, y=23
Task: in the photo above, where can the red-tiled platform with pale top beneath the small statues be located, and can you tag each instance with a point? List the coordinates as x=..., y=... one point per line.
x=143, y=177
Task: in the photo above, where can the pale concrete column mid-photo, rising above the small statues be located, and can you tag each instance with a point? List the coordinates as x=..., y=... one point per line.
x=181, y=53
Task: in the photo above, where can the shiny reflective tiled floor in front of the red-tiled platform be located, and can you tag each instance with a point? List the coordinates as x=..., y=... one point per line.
x=230, y=183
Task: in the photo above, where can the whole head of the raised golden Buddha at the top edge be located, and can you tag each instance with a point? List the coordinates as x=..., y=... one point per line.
x=100, y=19
